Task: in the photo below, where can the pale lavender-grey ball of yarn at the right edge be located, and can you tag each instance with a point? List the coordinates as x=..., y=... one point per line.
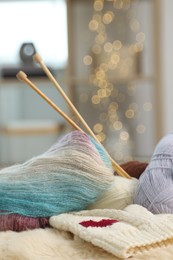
x=155, y=188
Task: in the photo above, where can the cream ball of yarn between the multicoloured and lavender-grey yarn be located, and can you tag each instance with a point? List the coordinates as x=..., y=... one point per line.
x=118, y=196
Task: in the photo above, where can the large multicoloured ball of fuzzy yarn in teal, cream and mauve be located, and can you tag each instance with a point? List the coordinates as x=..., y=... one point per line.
x=72, y=174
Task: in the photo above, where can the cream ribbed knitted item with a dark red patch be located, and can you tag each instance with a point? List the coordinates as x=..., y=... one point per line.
x=136, y=231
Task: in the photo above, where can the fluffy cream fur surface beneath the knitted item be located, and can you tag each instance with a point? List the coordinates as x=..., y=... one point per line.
x=51, y=244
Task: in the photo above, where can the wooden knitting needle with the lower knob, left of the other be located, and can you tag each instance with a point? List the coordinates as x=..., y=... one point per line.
x=23, y=77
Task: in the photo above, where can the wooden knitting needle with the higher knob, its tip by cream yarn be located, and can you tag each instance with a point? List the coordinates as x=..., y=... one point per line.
x=37, y=58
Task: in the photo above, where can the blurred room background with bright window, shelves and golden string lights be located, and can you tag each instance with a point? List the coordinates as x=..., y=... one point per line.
x=113, y=58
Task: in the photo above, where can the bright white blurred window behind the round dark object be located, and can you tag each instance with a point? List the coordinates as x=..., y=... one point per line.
x=44, y=23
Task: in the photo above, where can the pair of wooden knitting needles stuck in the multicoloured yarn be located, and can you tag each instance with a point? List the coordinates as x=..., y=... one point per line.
x=23, y=77
